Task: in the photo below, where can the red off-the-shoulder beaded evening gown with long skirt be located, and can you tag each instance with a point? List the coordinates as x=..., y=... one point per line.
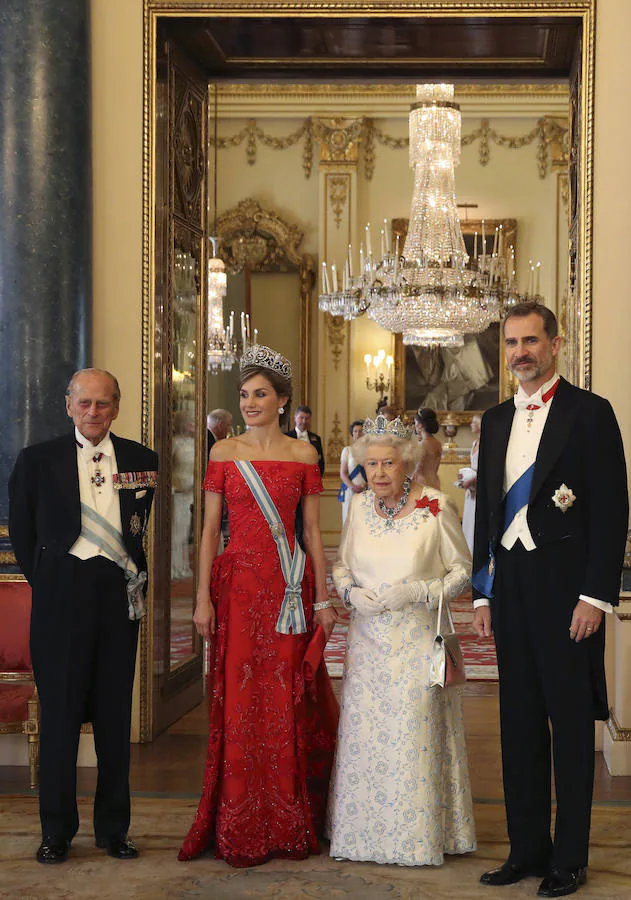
x=272, y=733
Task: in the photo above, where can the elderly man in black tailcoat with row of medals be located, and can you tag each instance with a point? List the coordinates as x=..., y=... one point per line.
x=79, y=506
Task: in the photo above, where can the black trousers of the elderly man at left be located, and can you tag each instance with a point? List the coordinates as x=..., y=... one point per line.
x=84, y=651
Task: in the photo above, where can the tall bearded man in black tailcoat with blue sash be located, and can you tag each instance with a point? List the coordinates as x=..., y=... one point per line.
x=551, y=524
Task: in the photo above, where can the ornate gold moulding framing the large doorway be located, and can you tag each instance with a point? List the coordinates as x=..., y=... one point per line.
x=578, y=307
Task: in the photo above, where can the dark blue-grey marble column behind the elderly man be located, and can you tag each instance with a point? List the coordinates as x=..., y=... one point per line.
x=45, y=220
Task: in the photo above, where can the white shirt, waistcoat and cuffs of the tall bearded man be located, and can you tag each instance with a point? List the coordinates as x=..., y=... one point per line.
x=521, y=453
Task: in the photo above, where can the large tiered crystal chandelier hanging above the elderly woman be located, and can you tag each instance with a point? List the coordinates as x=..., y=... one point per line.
x=433, y=293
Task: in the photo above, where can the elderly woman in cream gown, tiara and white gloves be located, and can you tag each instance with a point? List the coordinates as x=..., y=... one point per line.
x=400, y=790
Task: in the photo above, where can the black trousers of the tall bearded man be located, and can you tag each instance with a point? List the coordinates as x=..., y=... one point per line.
x=545, y=687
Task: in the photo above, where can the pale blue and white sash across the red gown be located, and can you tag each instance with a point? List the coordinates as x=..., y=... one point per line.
x=292, y=615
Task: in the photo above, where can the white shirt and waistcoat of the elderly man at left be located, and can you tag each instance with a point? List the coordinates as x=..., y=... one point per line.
x=101, y=498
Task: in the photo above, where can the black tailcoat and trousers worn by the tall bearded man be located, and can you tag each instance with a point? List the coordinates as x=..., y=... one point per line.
x=544, y=675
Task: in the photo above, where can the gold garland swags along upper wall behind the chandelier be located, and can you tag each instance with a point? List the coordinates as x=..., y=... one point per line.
x=339, y=134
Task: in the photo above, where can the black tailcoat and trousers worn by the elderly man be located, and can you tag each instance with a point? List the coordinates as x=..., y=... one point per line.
x=83, y=645
